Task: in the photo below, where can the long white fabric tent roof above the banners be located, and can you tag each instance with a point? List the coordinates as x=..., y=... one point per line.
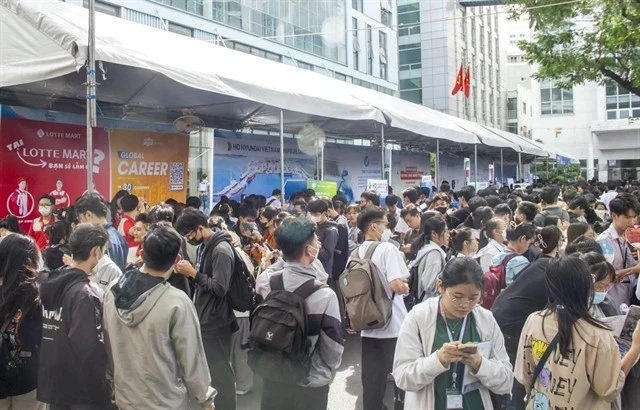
x=43, y=45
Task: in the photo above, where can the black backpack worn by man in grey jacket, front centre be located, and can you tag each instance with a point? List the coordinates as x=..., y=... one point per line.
x=279, y=348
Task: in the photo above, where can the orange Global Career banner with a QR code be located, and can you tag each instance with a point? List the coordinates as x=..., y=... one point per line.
x=150, y=165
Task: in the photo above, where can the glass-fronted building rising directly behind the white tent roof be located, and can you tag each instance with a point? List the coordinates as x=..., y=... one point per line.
x=351, y=40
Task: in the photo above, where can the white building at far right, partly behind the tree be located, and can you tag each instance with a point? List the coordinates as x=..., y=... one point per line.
x=598, y=123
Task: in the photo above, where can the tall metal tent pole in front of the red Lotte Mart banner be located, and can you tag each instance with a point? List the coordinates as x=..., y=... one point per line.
x=91, y=93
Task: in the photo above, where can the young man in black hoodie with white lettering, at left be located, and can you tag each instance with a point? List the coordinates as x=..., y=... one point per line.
x=73, y=358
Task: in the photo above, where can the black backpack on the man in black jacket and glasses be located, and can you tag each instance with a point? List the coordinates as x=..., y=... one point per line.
x=242, y=287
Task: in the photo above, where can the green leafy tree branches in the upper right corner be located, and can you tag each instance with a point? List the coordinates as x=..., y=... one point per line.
x=583, y=40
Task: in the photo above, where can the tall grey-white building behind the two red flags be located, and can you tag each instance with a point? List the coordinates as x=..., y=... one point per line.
x=435, y=38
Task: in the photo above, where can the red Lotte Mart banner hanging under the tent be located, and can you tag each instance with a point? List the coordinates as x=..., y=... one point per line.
x=47, y=158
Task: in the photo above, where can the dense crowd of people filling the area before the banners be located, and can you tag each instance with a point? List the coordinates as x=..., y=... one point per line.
x=489, y=299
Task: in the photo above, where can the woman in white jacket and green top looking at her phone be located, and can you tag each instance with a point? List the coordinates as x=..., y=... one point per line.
x=429, y=363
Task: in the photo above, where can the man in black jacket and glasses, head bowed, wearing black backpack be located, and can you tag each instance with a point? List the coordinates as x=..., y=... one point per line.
x=212, y=276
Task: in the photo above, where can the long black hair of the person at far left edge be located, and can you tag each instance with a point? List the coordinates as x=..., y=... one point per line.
x=19, y=258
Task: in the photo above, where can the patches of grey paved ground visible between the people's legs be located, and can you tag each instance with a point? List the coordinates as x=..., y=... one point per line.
x=346, y=390
